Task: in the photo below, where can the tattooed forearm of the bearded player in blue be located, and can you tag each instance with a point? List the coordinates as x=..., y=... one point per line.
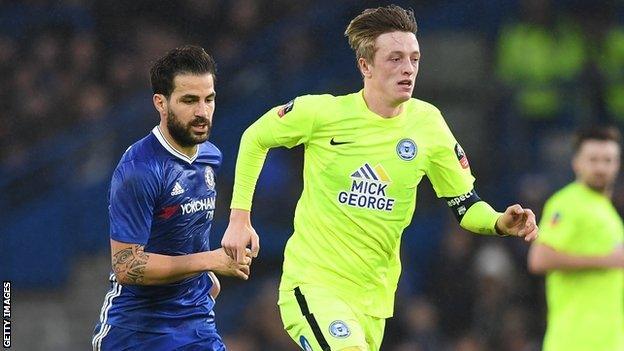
x=134, y=266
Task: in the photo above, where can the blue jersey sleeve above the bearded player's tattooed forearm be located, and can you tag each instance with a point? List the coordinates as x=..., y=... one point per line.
x=133, y=194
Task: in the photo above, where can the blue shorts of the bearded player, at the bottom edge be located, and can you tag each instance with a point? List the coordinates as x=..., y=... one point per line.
x=118, y=339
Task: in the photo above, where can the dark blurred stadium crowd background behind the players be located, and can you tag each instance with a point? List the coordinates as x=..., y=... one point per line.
x=513, y=78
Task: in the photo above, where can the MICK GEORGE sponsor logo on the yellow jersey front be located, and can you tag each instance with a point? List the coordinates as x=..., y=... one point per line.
x=368, y=189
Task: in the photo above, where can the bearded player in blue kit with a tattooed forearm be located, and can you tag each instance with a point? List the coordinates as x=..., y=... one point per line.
x=162, y=201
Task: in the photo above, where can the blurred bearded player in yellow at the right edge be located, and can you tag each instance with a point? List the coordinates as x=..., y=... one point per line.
x=580, y=250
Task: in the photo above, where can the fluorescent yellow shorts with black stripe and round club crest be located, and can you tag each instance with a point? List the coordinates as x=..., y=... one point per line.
x=318, y=320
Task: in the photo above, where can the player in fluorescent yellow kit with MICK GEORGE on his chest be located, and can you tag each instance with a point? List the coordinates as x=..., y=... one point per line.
x=365, y=154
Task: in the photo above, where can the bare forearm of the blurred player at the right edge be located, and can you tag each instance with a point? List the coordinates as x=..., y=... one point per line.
x=543, y=258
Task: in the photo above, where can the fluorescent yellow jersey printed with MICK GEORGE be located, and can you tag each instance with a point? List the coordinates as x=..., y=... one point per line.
x=361, y=172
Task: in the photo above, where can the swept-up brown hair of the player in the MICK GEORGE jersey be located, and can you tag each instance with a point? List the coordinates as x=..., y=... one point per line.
x=371, y=23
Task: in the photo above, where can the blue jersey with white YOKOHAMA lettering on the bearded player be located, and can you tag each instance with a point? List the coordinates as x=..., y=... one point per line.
x=164, y=200
